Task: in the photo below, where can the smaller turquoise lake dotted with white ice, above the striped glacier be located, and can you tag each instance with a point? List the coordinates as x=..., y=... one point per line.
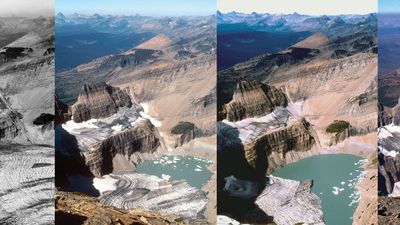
x=192, y=169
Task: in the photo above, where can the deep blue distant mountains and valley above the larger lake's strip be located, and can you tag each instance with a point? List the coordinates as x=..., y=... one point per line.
x=243, y=36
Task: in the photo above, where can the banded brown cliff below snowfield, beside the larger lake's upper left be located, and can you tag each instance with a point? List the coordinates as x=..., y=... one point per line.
x=275, y=149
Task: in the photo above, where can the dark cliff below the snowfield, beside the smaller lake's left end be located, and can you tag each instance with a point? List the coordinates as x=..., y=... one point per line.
x=143, y=138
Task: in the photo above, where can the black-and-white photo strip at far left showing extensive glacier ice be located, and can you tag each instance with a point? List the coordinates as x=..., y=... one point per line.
x=26, y=112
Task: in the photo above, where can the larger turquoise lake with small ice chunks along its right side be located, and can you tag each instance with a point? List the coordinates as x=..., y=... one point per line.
x=335, y=177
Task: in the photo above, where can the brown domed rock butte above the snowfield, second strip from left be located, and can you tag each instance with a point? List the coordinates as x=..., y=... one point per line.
x=98, y=101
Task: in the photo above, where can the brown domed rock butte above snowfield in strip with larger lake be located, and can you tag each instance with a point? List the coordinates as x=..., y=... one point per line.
x=252, y=99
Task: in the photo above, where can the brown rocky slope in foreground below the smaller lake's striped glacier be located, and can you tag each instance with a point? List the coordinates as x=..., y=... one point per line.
x=74, y=208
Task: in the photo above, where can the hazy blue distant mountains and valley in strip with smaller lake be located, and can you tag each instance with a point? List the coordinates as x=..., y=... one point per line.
x=82, y=38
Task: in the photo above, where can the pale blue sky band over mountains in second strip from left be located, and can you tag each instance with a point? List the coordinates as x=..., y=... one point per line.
x=143, y=7
